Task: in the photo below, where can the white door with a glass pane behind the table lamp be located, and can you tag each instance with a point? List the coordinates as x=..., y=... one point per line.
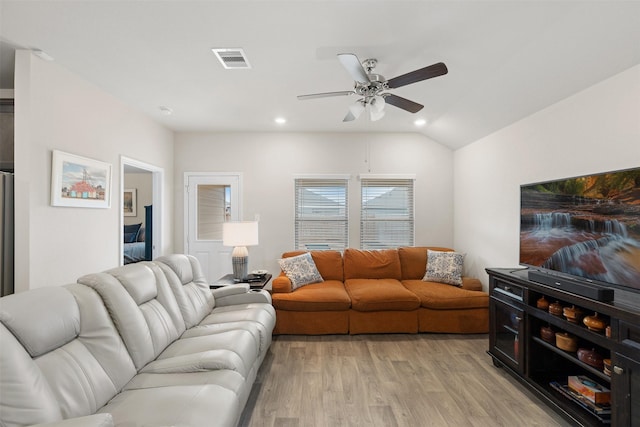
x=210, y=200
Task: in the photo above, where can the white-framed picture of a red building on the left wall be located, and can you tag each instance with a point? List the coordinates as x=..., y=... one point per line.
x=79, y=181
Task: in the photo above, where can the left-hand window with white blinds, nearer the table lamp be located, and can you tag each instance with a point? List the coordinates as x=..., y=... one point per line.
x=321, y=220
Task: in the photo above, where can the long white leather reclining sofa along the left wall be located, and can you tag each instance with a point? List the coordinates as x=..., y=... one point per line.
x=146, y=344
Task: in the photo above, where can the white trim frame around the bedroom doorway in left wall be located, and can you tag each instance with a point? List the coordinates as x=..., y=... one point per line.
x=157, y=177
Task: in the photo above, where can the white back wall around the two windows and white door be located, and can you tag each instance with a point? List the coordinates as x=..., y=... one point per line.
x=269, y=162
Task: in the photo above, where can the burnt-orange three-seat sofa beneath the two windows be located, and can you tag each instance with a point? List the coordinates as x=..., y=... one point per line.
x=377, y=292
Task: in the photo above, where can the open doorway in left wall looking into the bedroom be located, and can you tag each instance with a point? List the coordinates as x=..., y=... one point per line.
x=142, y=183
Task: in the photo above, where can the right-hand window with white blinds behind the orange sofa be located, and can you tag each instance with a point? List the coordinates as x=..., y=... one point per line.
x=386, y=216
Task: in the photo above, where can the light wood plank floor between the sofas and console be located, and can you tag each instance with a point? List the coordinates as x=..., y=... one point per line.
x=388, y=380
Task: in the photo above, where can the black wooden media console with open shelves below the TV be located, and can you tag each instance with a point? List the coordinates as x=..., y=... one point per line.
x=515, y=344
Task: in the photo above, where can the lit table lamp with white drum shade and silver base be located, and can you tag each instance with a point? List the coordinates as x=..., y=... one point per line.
x=240, y=235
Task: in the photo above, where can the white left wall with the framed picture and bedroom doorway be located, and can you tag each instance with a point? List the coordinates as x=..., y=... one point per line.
x=55, y=109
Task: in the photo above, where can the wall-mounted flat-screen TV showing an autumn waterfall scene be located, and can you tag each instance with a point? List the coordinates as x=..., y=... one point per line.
x=586, y=226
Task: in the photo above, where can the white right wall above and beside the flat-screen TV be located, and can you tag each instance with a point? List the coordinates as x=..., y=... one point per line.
x=596, y=130
